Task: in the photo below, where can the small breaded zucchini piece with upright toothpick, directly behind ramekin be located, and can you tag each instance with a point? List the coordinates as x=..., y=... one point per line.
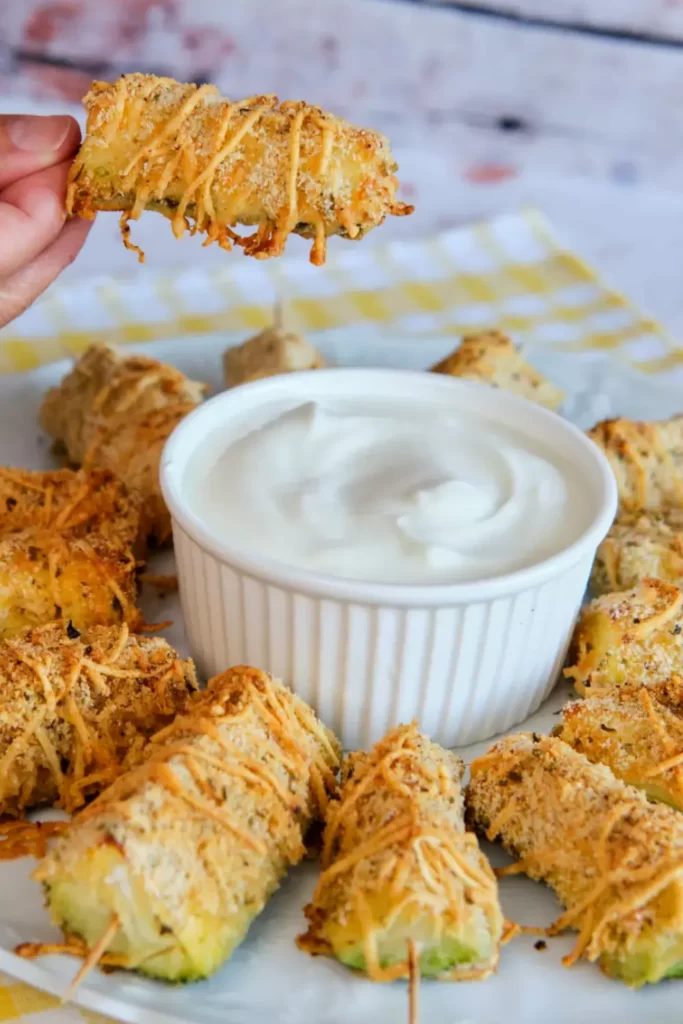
x=271, y=353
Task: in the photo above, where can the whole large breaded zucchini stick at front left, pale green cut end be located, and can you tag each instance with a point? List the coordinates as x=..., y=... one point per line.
x=180, y=856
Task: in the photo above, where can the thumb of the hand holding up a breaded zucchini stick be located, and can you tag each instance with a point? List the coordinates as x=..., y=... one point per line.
x=30, y=144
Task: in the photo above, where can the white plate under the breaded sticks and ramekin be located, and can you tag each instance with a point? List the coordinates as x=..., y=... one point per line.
x=269, y=980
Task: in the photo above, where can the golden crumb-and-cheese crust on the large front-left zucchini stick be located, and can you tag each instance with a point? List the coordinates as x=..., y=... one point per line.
x=217, y=813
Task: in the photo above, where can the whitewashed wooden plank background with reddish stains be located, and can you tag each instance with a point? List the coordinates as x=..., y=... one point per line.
x=571, y=106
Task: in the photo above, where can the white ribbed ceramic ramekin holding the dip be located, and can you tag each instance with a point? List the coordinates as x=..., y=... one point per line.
x=467, y=661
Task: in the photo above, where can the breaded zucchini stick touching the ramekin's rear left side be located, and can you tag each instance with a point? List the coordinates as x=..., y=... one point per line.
x=115, y=412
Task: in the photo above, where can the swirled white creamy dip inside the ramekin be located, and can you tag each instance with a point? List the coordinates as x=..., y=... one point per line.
x=385, y=493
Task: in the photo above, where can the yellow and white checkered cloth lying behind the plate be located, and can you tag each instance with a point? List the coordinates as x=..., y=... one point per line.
x=508, y=273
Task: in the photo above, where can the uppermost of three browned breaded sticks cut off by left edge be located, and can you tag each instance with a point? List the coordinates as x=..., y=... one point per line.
x=71, y=503
